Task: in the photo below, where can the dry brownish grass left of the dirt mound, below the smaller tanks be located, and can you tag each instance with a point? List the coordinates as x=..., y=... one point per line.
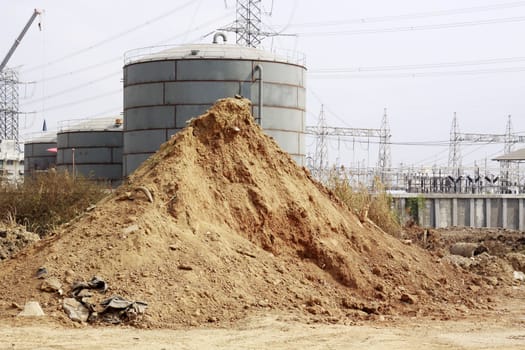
x=46, y=200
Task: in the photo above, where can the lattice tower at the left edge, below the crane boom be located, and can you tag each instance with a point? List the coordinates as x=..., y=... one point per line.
x=9, y=111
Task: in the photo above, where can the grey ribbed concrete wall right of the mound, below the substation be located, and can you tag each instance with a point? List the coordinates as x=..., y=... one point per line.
x=445, y=210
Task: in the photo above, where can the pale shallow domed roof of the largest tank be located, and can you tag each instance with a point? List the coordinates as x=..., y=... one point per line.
x=208, y=51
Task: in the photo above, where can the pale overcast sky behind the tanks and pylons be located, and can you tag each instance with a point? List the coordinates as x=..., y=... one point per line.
x=422, y=60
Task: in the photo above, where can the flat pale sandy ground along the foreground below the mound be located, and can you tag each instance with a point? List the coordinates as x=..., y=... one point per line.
x=502, y=328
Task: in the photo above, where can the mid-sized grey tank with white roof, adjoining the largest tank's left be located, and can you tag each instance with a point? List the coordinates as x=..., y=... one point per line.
x=92, y=148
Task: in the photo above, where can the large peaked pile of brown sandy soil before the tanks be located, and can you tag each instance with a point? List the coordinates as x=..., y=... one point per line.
x=234, y=227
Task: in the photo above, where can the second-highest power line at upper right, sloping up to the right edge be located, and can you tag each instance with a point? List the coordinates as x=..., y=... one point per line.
x=415, y=28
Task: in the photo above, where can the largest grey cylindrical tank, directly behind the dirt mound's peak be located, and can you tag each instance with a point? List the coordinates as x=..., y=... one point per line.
x=165, y=88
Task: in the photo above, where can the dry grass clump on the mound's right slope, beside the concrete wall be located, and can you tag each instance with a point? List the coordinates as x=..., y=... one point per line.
x=374, y=205
